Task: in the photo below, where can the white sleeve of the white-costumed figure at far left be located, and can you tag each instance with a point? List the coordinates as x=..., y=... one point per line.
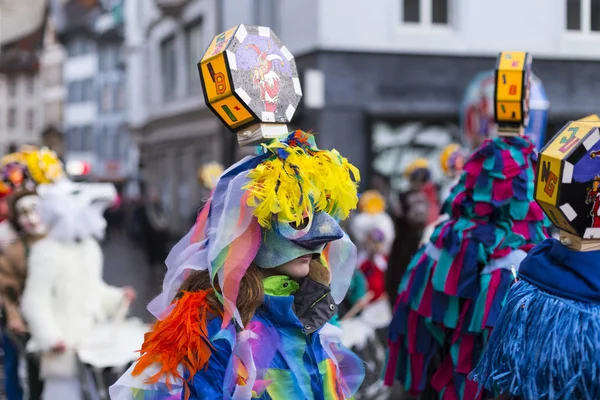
x=37, y=297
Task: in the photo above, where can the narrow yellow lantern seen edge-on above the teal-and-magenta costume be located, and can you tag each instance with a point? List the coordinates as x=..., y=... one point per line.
x=512, y=92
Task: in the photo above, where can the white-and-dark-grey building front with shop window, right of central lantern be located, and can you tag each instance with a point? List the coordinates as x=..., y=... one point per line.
x=383, y=81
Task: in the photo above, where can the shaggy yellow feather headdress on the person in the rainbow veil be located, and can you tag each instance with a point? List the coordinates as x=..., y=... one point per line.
x=297, y=179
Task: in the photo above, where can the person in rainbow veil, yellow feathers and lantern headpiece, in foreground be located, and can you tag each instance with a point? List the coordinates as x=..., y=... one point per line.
x=250, y=289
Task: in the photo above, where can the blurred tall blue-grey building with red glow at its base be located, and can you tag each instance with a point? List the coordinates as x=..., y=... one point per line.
x=94, y=75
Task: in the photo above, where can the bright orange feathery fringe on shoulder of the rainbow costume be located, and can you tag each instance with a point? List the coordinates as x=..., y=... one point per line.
x=179, y=339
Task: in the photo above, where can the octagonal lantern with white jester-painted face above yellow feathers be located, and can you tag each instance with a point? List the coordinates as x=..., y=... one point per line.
x=250, y=82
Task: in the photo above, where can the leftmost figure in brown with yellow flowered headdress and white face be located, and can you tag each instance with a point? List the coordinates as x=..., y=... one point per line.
x=21, y=172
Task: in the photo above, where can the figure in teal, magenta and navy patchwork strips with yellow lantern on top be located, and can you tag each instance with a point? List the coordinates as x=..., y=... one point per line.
x=455, y=286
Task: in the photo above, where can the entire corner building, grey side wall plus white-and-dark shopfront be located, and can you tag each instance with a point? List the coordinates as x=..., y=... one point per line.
x=383, y=81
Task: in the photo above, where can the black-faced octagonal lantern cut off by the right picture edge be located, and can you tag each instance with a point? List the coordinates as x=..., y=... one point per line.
x=568, y=178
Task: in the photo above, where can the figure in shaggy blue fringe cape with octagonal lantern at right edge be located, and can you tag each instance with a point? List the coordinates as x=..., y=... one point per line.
x=546, y=342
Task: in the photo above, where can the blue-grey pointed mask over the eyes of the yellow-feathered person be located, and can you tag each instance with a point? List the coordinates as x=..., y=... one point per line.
x=286, y=242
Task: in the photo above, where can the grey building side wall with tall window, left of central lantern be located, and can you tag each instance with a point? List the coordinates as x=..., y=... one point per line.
x=174, y=129
